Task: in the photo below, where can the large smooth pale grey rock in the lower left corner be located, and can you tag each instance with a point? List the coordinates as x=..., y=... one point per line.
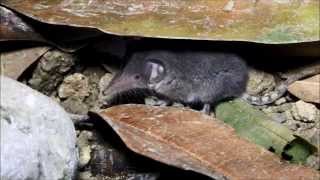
x=40, y=139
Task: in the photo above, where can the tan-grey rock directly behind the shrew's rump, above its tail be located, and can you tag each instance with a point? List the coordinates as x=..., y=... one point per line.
x=260, y=82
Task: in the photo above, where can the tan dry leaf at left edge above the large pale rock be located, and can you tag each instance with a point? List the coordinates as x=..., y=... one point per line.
x=14, y=63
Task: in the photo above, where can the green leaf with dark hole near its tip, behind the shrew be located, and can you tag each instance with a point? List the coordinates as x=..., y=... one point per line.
x=256, y=126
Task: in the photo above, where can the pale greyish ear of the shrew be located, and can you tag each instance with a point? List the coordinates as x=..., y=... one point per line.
x=155, y=72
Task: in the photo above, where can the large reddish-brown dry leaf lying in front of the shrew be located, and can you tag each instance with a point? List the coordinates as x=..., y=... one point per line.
x=194, y=141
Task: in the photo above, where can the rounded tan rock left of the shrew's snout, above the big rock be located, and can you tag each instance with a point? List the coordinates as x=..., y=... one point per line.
x=75, y=85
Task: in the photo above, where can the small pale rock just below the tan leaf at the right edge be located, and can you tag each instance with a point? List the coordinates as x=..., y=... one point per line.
x=305, y=112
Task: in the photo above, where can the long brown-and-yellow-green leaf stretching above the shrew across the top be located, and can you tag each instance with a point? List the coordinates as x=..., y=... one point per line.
x=267, y=21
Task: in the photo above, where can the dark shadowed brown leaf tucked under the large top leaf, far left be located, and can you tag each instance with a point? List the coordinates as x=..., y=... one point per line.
x=17, y=27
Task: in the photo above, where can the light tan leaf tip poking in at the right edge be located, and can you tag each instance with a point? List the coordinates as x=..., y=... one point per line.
x=308, y=89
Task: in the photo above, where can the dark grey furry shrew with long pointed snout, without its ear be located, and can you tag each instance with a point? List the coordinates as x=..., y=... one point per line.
x=189, y=77
